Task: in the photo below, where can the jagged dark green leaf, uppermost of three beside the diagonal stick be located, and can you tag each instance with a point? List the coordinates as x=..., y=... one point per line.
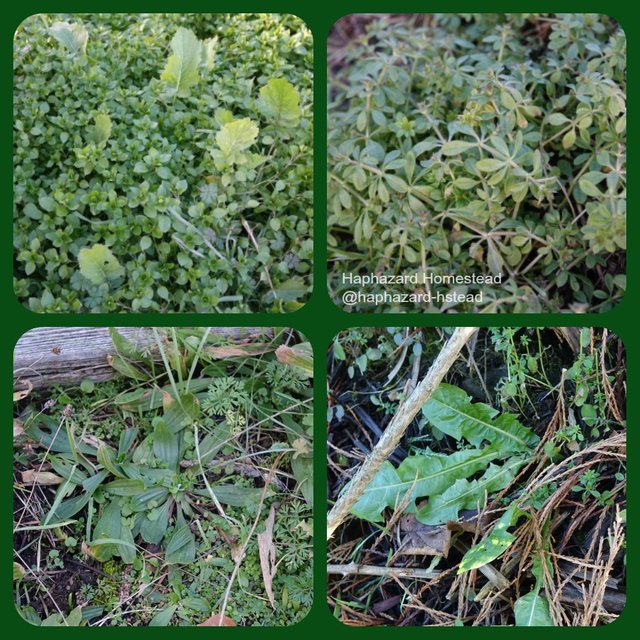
x=451, y=411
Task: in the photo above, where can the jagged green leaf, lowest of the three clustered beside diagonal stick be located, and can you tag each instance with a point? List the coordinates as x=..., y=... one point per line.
x=468, y=495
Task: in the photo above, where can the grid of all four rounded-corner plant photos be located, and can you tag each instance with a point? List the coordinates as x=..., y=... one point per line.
x=164, y=476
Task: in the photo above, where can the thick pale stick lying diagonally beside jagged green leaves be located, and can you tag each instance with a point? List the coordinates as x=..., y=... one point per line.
x=398, y=425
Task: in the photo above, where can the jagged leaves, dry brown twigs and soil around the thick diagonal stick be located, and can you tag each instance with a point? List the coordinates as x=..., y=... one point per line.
x=505, y=501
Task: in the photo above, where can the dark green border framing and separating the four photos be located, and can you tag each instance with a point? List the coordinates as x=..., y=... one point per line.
x=320, y=319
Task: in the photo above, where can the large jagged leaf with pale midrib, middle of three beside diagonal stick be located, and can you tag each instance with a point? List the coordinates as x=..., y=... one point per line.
x=423, y=475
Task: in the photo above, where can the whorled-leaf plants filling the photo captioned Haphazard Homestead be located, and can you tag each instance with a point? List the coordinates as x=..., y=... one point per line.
x=480, y=144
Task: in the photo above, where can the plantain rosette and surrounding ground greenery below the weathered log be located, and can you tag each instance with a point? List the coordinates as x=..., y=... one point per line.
x=177, y=492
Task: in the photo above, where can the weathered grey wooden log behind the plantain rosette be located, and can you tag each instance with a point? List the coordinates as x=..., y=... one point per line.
x=66, y=355
